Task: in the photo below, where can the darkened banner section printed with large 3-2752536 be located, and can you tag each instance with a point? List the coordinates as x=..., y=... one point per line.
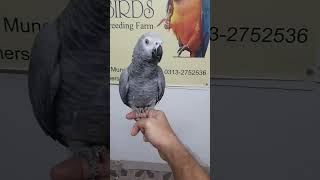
x=264, y=39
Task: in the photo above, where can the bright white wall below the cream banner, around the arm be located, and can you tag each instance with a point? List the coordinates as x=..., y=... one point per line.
x=188, y=111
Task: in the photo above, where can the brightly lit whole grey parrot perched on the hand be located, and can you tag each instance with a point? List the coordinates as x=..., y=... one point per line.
x=142, y=84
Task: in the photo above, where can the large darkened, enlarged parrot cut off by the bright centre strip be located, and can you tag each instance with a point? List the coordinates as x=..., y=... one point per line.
x=68, y=78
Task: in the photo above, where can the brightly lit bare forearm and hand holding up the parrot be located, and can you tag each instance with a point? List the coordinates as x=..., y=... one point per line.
x=157, y=131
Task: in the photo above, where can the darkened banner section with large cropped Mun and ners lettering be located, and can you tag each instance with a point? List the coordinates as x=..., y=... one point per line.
x=20, y=21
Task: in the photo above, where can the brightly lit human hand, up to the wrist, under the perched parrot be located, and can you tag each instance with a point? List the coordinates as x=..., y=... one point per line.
x=156, y=130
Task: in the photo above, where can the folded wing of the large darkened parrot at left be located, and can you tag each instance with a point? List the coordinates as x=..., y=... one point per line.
x=44, y=78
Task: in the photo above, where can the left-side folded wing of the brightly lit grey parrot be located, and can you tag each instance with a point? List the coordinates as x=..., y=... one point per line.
x=124, y=86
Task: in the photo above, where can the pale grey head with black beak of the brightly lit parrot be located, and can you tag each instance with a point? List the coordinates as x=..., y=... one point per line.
x=149, y=48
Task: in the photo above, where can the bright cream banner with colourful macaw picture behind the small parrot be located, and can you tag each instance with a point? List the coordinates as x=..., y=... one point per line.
x=183, y=27
